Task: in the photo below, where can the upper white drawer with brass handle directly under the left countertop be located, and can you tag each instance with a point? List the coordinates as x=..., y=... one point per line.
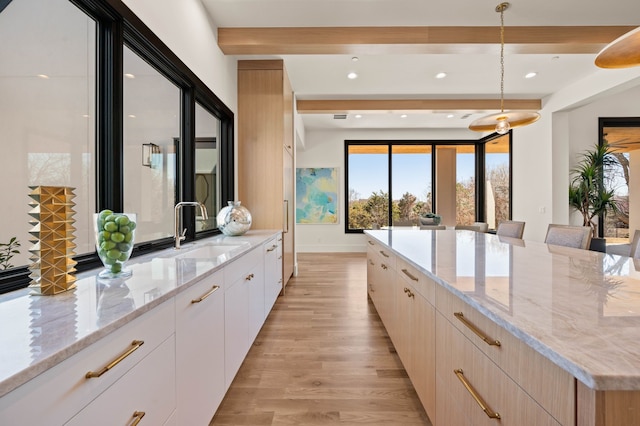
x=57, y=394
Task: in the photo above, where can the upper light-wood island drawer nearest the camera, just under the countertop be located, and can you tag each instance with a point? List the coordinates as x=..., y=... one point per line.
x=551, y=386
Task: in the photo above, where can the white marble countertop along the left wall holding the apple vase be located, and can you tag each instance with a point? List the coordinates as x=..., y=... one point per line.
x=39, y=332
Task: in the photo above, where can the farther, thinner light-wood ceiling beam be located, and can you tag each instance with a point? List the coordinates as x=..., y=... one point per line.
x=352, y=106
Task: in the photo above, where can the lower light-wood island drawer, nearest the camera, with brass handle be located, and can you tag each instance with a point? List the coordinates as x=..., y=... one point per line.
x=455, y=403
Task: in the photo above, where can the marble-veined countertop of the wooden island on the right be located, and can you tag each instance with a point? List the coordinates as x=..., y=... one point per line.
x=578, y=308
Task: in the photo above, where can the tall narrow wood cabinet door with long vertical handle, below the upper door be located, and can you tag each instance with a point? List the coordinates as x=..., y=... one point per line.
x=289, y=217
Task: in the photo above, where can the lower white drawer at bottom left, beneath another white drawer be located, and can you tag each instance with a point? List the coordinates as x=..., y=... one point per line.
x=148, y=391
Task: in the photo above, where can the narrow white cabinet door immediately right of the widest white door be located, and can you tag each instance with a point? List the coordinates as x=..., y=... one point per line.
x=236, y=328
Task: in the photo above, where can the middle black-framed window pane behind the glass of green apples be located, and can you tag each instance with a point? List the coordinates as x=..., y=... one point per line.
x=151, y=117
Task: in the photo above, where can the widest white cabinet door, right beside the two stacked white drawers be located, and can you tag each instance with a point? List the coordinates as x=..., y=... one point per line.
x=200, y=351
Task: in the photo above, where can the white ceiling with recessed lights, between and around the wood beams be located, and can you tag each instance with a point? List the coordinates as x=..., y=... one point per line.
x=407, y=76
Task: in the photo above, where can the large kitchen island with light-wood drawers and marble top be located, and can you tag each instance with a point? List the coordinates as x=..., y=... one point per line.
x=525, y=309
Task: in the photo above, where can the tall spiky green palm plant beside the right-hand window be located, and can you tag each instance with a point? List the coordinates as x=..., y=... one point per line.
x=590, y=192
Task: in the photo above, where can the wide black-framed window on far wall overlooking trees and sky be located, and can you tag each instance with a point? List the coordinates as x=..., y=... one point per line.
x=394, y=182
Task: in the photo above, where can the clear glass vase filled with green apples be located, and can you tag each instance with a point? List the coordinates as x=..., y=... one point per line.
x=115, y=236
